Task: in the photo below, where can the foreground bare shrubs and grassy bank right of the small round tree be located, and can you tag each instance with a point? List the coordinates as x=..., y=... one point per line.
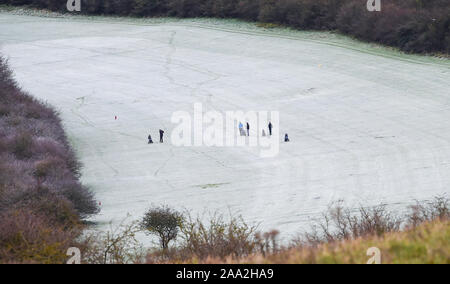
x=342, y=235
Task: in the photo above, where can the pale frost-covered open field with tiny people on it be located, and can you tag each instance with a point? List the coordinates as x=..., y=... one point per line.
x=366, y=124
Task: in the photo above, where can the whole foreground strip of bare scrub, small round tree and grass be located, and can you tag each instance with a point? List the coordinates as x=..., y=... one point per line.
x=341, y=235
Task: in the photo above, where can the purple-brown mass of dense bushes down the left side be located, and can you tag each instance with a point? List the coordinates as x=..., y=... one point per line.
x=41, y=198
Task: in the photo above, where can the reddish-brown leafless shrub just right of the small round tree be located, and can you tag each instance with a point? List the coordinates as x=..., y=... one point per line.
x=219, y=237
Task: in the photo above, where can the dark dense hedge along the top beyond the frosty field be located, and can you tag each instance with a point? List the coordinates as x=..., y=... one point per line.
x=420, y=26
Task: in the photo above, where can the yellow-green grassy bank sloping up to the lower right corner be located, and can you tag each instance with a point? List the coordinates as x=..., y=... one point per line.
x=425, y=244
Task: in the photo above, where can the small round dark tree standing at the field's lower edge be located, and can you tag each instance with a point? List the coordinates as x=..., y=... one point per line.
x=163, y=222
